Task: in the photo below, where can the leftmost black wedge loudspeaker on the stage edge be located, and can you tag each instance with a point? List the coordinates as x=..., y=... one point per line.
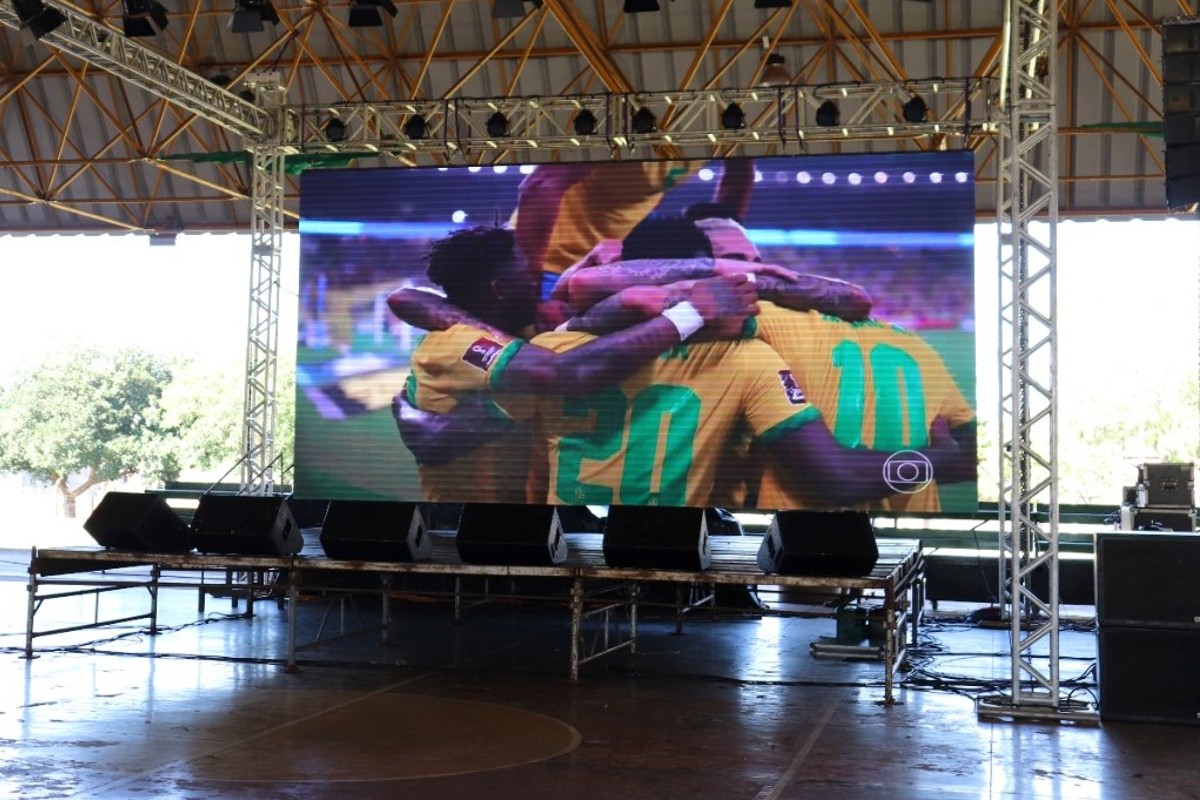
x=133, y=521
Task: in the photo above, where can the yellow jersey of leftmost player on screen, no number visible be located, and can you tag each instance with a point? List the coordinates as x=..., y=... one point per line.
x=465, y=359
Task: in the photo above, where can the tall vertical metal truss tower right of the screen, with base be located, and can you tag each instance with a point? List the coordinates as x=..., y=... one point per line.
x=1029, y=492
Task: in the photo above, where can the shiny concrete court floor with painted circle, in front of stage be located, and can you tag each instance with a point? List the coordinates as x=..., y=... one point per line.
x=734, y=708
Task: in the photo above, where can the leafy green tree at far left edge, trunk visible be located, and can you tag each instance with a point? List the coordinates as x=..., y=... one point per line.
x=92, y=414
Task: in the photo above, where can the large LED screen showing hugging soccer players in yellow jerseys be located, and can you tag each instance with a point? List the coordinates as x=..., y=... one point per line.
x=585, y=334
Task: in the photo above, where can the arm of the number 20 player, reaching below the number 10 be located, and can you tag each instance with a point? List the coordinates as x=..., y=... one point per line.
x=815, y=466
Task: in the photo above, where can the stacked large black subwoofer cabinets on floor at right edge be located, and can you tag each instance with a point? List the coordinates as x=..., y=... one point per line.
x=1148, y=605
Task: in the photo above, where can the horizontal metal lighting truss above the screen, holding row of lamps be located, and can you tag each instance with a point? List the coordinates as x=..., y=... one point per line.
x=958, y=109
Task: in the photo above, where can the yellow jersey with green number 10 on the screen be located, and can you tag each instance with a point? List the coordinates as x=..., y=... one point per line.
x=877, y=386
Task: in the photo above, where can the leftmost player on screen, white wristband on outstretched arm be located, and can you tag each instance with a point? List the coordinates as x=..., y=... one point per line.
x=495, y=285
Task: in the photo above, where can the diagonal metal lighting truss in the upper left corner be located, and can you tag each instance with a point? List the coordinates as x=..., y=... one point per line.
x=106, y=49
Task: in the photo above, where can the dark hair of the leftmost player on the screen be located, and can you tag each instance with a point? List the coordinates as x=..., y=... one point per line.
x=465, y=262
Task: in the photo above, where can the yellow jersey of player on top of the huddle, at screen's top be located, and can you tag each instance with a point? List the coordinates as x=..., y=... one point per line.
x=608, y=204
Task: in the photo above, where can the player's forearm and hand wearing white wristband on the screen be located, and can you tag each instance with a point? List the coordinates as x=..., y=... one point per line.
x=721, y=306
